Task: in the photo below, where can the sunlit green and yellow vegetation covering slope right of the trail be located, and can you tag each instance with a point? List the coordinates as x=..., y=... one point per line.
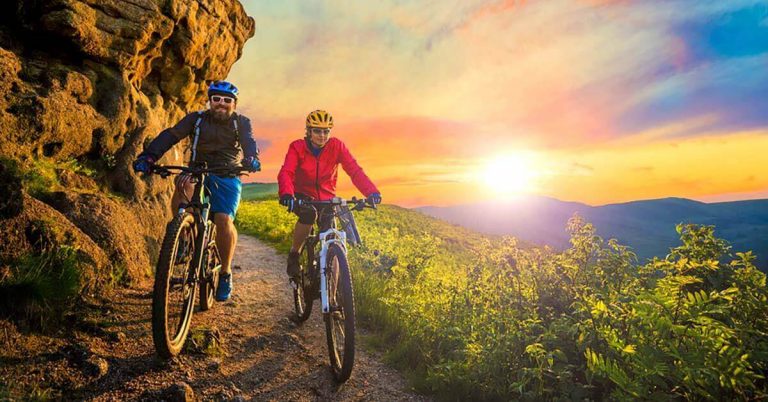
x=474, y=317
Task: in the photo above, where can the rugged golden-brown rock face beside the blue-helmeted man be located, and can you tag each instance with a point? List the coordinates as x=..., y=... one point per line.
x=93, y=80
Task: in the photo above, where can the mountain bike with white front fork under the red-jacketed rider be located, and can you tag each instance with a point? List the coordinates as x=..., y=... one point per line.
x=324, y=274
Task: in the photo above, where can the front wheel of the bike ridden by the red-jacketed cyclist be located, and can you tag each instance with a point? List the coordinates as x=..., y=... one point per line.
x=340, y=320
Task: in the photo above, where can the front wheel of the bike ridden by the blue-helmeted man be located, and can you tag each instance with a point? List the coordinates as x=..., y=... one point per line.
x=173, y=299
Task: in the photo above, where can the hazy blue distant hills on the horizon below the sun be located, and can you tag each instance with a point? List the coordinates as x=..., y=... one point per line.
x=647, y=226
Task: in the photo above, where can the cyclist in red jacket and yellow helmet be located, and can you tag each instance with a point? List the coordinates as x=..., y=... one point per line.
x=310, y=172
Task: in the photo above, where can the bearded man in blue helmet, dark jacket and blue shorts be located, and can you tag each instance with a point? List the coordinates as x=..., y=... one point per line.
x=218, y=134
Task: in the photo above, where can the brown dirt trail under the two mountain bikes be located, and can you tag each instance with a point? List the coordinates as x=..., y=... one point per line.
x=265, y=355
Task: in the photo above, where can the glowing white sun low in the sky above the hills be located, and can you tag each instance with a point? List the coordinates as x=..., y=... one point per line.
x=510, y=174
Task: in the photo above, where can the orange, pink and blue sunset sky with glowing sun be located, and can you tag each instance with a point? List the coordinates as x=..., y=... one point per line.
x=448, y=102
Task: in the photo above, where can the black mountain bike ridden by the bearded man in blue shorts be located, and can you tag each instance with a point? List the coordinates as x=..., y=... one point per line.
x=189, y=262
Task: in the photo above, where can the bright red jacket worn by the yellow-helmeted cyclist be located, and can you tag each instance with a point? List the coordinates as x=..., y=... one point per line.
x=303, y=173
